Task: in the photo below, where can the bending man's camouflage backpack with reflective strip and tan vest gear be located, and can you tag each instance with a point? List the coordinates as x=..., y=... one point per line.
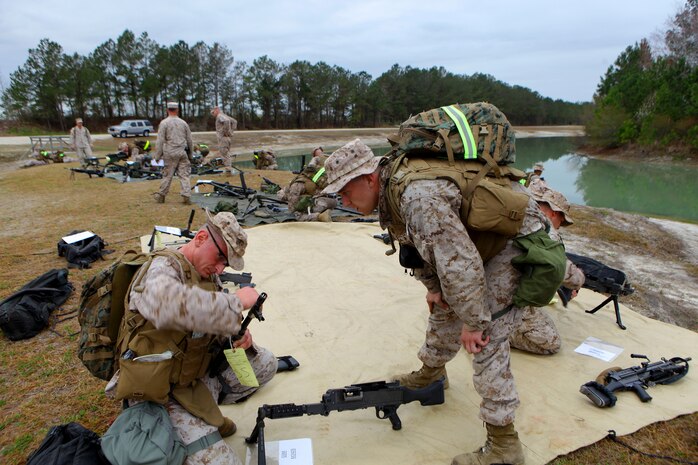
x=470, y=145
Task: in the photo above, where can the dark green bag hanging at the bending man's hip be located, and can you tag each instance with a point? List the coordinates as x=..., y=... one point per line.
x=542, y=266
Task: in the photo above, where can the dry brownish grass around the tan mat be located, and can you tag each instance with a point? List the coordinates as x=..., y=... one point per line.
x=43, y=384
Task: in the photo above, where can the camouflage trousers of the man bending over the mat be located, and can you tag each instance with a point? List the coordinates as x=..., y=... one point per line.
x=492, y=376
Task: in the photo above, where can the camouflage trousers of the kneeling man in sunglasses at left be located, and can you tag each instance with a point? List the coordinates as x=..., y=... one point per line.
x=191, y=428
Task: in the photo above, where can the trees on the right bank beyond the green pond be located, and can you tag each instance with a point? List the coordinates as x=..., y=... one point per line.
x=649, y=96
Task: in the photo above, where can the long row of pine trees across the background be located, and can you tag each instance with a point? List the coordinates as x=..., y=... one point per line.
x=133, y=76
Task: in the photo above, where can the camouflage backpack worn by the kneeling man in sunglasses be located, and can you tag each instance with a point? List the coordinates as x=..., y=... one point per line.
x=100, y=311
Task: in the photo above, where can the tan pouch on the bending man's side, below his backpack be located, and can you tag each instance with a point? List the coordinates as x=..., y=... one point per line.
x=496, y=209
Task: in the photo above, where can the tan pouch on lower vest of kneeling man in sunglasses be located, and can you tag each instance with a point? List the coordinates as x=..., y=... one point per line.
x=144, y=380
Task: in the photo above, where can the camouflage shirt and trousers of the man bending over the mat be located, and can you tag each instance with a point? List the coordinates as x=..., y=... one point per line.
x=473, y=290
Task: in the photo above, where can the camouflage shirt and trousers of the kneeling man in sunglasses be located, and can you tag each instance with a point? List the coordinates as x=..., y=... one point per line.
x=169, y=303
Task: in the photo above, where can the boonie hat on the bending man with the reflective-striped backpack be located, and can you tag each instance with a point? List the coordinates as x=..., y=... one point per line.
x=348, y=162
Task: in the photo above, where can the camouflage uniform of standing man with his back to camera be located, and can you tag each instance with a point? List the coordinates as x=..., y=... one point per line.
x=174, y=139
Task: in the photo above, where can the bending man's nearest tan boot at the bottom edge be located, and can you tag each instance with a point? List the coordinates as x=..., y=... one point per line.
x=502, y=446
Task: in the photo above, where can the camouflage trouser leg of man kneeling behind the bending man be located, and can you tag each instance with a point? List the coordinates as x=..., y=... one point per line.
x=537, y=333
